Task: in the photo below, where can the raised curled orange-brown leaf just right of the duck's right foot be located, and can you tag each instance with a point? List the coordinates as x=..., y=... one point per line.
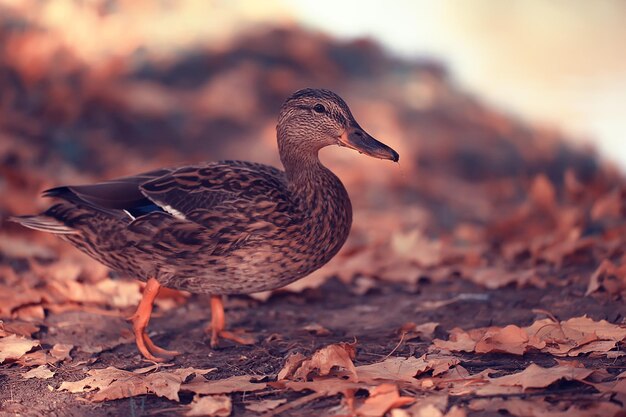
x=338, y=355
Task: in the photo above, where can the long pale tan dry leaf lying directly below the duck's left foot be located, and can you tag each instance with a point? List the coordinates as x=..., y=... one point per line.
x=114, y=383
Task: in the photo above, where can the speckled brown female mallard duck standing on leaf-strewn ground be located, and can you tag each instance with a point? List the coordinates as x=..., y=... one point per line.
x=228, y=227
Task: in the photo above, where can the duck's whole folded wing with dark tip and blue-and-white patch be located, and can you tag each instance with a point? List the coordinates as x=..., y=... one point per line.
x=217, y=195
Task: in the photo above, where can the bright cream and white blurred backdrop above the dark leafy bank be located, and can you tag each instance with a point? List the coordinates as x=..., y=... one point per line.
x=560, y=63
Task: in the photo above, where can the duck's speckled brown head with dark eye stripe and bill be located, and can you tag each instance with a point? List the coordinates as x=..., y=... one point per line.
x=314, y=118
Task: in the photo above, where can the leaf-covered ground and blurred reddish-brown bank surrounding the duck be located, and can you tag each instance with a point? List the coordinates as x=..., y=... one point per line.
x=485, y=276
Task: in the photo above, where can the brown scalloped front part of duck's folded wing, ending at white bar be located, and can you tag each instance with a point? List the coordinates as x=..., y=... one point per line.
x=220, y=192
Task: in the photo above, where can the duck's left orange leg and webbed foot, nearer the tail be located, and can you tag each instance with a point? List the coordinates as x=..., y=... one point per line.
x=140, y=321
